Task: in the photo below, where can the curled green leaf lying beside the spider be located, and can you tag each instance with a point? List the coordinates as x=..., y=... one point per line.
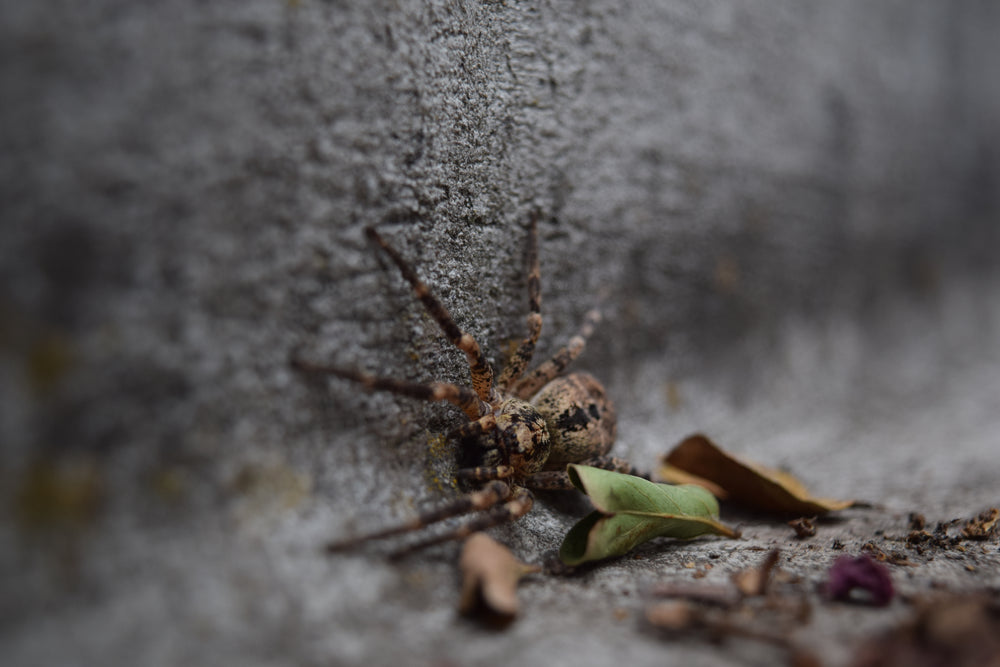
x=631, y=510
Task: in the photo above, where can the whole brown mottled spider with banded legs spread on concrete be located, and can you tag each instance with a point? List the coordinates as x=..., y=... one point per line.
x=522, y=429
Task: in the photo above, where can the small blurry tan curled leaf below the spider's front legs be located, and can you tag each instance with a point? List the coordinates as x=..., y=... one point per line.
x=490, y=575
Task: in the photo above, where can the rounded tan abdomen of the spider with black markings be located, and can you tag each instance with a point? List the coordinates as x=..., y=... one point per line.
x=580, y=417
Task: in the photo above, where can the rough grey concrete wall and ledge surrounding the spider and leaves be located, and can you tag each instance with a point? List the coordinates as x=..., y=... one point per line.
x=787, y=213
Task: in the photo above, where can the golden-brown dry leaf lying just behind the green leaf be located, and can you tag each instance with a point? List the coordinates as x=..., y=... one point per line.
x=747, y=483
